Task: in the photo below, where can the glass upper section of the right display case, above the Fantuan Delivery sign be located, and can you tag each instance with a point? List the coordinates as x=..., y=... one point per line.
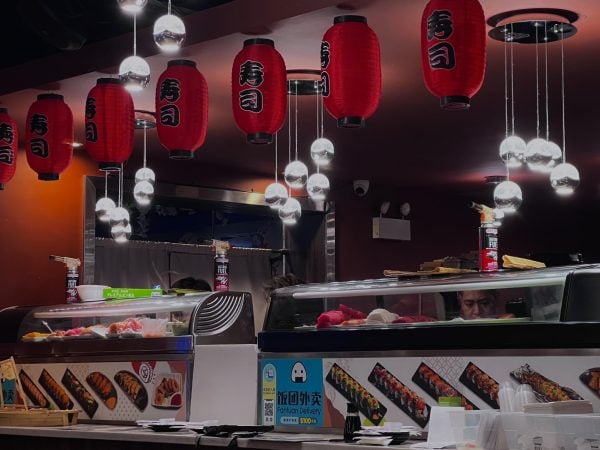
x=456, y=299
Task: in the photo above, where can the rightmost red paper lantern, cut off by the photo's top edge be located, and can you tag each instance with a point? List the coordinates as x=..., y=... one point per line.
x=453, y=50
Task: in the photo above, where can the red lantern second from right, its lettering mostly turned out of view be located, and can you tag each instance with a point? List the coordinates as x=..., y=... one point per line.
x=351, y=71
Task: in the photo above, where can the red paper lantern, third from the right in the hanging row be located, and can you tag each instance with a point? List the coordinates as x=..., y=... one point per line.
x=259, y=93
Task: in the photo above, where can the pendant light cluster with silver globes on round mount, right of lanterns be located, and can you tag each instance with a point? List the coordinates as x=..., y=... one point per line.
x=540, y=154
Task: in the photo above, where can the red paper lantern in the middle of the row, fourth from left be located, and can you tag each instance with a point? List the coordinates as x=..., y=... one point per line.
x=182, y=108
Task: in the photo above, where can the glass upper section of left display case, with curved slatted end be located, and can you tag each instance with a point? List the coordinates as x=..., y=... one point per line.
x=202, y=316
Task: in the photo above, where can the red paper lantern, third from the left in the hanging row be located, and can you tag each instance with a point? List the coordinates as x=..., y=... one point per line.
x=109, y=123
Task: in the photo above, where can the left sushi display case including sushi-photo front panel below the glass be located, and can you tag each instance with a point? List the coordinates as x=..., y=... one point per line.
x=123, y=360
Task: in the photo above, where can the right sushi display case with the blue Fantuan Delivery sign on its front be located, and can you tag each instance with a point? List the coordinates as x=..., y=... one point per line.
x=398, y=346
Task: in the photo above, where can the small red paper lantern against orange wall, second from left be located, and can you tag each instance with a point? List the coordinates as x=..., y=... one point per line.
x=49, y=136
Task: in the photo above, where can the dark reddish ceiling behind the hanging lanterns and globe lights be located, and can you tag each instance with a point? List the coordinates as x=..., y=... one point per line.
x=408, y=143
